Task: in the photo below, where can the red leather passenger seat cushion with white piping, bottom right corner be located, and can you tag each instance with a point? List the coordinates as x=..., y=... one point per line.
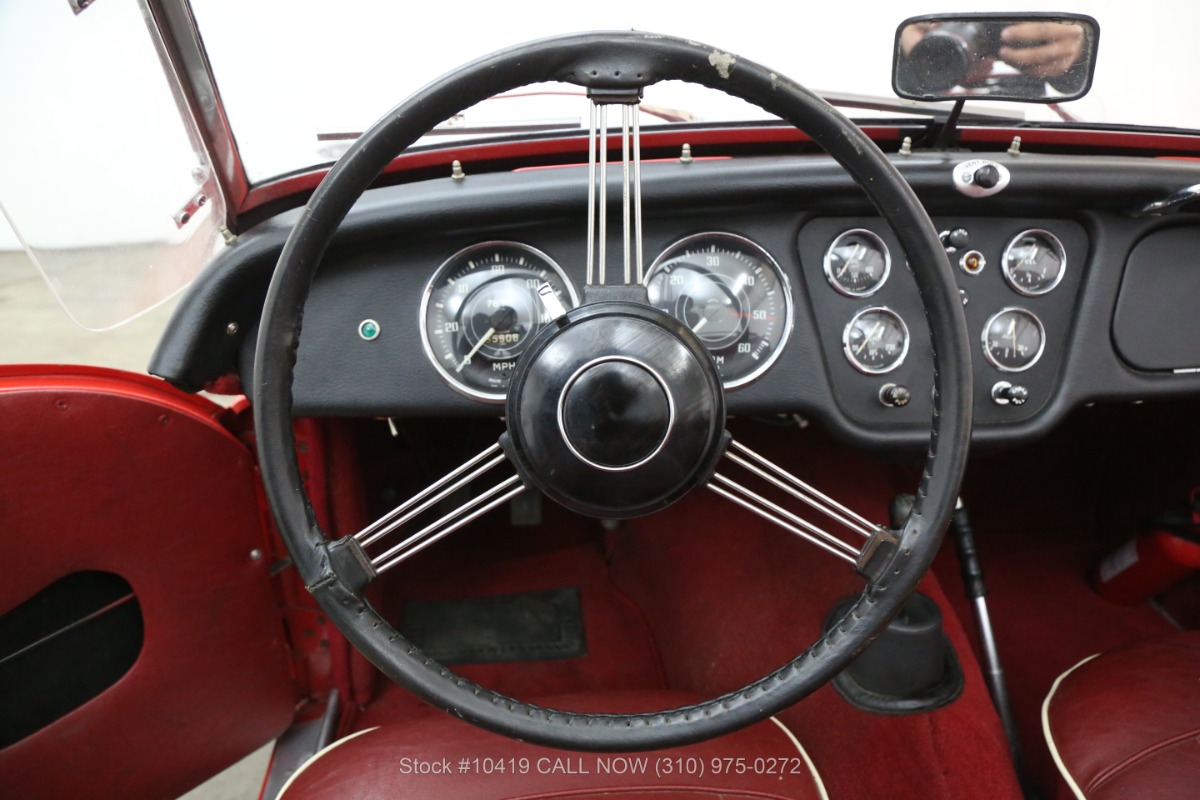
x=1126, y=724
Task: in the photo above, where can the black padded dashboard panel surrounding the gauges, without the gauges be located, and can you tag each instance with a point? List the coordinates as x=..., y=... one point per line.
x=395, y=237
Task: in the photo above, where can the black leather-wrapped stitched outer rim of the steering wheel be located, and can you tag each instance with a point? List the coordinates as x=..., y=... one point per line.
x=610, y=62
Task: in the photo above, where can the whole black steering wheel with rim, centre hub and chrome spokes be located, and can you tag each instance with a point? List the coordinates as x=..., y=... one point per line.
x=673, y=376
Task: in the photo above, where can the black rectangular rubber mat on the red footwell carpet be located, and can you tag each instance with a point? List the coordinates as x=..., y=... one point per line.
x=527, y=627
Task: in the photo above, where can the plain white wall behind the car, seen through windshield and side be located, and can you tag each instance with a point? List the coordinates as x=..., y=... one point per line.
x=80, y=95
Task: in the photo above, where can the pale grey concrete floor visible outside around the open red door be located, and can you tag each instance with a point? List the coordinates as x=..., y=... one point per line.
x=34, y=329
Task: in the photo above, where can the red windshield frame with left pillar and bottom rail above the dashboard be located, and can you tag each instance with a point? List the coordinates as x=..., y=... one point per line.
x=248, y=203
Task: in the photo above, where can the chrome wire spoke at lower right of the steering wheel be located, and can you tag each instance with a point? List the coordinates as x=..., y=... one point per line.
x=866, y=557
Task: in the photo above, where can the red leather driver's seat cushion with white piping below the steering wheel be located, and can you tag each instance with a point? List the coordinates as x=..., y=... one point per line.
x=760, y=762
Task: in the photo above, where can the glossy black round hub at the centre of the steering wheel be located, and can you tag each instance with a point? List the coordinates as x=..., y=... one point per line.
x=616, y=411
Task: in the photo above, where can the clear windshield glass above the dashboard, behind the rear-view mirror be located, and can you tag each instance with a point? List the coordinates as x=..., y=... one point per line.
x=299, y=83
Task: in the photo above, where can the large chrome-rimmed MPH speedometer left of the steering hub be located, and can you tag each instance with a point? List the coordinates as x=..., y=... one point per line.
x=482, y=310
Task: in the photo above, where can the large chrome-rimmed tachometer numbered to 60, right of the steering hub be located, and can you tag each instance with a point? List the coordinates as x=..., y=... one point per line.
x=733, y=296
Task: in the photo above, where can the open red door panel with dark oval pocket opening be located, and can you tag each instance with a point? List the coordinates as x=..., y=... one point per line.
x=121, y=474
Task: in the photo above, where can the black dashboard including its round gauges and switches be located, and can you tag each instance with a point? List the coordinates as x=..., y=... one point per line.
x=1041, y=266
